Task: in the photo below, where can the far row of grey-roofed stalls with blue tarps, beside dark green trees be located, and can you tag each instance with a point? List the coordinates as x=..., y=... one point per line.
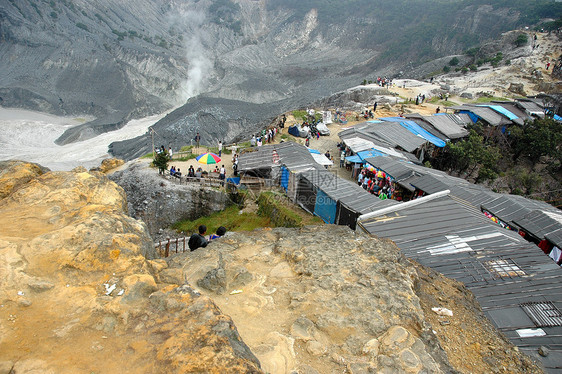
x=416, y=137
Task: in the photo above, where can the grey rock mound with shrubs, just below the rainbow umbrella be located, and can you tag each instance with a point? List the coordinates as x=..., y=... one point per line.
x=160, y=202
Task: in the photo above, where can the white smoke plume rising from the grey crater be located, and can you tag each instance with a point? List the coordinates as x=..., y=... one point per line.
x=200, y=66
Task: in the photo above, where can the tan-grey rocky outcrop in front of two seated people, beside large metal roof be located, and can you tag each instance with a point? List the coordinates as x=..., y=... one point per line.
x=325, y=299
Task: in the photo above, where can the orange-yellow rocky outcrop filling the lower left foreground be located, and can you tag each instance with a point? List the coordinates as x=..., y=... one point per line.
x=82, y=291
